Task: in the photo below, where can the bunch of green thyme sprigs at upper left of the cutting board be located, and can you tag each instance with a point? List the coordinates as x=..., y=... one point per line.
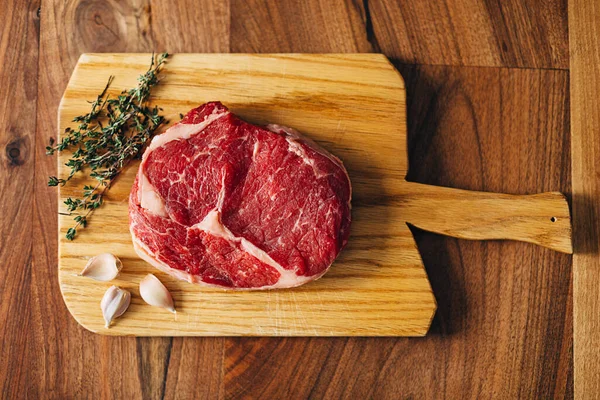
x=108, y=137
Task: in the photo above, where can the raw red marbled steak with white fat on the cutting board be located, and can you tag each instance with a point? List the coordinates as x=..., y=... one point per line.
x=221, y=202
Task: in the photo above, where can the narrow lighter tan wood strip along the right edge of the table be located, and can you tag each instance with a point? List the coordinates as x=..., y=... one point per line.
x=585, y=155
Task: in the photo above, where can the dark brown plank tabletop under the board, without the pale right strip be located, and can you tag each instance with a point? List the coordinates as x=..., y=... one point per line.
x=488, y=109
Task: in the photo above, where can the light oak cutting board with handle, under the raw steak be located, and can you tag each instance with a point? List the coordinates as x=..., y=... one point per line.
x=353, y=105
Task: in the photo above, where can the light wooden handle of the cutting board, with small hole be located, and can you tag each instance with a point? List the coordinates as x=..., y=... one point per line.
x=543, y=219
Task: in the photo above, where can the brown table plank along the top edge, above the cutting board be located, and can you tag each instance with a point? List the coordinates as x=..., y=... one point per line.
x=466, y=32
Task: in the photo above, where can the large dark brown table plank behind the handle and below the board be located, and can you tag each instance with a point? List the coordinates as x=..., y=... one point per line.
x=503, y=328
